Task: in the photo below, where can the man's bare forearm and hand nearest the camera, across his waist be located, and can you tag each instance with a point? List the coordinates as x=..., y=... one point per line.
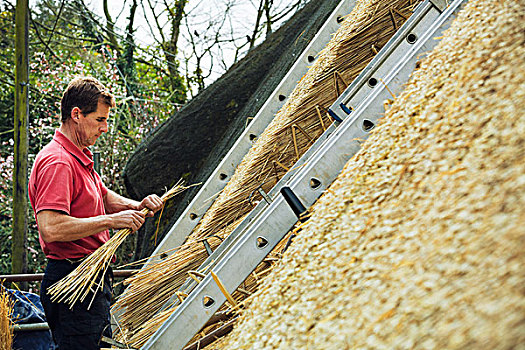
x=55, y=226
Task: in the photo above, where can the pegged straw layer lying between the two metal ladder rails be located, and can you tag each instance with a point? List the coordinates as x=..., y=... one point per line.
x=297, y=125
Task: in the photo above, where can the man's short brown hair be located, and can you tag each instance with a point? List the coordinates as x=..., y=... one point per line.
x=84, y=93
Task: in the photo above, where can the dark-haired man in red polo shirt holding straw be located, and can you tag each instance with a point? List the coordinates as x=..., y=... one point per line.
x=74, y=211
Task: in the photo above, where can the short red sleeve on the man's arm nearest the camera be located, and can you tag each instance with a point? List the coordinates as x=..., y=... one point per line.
x=54, y=188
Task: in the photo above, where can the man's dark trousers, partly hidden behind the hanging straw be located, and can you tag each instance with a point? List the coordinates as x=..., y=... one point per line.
x=77, y=328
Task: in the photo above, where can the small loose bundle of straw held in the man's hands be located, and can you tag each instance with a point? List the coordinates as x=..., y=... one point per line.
x=88, y=276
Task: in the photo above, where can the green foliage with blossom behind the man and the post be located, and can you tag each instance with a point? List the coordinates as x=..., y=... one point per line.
x=144, y=99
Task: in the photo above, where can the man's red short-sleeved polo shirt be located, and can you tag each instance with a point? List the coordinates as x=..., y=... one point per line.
x=63, y=179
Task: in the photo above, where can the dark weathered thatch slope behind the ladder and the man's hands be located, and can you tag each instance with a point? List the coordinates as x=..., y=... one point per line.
x=192, y=142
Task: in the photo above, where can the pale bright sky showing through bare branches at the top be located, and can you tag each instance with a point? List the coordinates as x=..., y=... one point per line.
x=205, y=18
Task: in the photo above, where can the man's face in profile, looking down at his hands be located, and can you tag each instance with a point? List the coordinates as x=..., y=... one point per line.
x=92, y=125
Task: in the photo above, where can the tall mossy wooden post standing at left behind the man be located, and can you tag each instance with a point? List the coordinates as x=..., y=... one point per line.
x=18, y=250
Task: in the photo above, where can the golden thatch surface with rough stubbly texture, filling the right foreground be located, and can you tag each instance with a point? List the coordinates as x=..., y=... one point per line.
x=419, y=242
